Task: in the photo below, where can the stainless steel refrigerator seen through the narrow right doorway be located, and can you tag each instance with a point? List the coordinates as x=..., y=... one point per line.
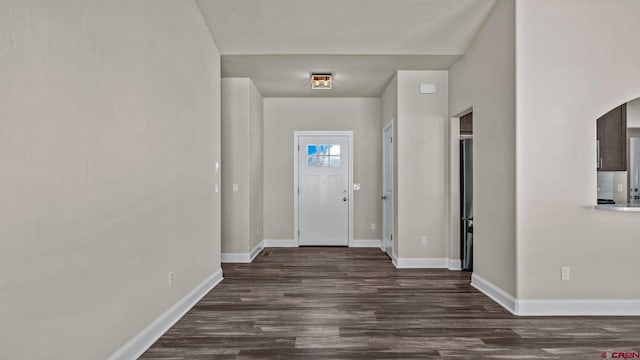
x=466, y=204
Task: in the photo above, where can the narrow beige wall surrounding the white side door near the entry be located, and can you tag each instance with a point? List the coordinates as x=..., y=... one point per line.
x=389, y=112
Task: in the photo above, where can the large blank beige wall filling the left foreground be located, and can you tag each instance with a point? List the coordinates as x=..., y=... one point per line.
x=109, y=131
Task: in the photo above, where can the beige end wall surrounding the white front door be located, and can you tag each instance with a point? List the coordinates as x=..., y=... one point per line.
x=283, y=116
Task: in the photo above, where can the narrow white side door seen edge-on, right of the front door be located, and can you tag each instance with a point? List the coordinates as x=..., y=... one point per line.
x=387, y=190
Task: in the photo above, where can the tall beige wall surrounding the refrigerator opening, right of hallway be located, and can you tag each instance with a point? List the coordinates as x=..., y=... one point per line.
x=484, y=79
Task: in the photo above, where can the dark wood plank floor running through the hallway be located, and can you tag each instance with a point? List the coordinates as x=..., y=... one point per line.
x=350, y=303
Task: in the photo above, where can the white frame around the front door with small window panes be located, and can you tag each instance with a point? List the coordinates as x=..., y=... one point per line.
x=296, y=152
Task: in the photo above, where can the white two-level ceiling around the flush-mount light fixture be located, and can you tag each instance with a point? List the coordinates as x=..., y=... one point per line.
x=278, y=43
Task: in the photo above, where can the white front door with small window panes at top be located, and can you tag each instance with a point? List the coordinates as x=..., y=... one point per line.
x=323, y=181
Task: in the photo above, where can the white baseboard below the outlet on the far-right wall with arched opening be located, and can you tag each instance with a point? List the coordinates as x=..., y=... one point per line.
x=578, y=307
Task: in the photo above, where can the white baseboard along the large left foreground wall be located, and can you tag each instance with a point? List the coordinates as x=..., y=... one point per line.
x=149, y=335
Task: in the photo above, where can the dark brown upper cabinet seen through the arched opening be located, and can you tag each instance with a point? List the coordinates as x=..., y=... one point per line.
x=612, y=140
